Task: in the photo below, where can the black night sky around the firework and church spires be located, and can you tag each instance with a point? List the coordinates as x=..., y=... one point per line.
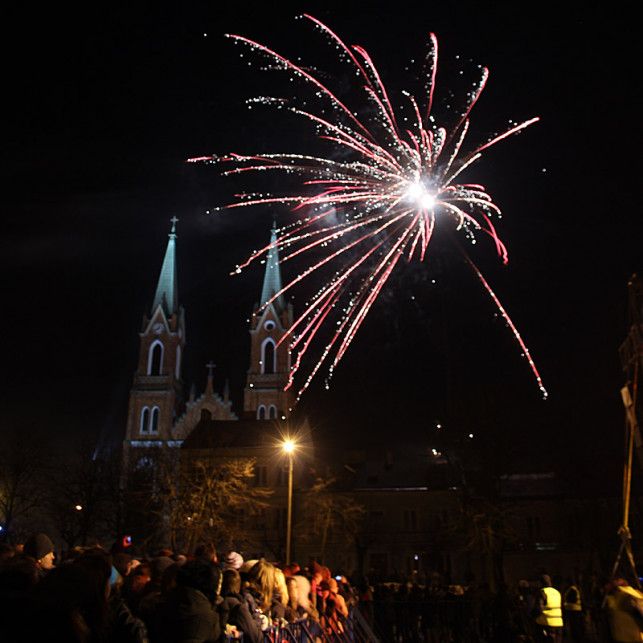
x=106, y=103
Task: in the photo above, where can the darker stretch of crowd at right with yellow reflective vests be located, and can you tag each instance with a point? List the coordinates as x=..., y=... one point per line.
x=529, y=611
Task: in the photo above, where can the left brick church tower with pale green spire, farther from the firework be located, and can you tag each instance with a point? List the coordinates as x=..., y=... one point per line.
x=156, y=397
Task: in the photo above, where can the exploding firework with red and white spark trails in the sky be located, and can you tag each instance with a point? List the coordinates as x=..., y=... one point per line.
x=383, y=202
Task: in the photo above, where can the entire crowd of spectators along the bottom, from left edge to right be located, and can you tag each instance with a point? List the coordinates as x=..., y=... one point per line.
x=94, y=595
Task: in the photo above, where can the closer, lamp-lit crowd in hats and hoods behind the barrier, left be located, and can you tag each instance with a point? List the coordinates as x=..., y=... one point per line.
x=94, y=595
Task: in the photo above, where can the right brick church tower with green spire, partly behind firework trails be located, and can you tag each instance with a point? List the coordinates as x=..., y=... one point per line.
x=264, y=396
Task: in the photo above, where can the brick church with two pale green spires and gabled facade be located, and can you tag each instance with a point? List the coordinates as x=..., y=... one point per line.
x=159, y=413
